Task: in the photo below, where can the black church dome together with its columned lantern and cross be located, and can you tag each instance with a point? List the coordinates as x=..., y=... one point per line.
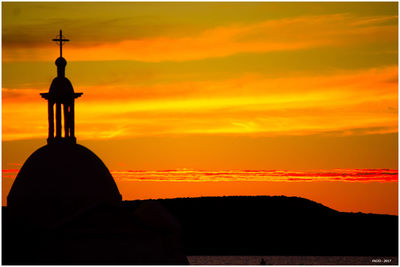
x=62, y=178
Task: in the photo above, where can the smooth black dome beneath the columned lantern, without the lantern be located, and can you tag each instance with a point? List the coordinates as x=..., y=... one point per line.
x=58, y=181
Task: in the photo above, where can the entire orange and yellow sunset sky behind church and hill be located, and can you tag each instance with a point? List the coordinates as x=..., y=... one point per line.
x=214, y=86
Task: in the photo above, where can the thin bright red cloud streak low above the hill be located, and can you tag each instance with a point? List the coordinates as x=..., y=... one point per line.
x=345, y=175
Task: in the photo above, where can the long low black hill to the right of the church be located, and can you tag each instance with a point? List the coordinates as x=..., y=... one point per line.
x=278, y=225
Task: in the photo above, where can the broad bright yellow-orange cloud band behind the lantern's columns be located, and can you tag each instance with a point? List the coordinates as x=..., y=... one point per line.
x=357, y=102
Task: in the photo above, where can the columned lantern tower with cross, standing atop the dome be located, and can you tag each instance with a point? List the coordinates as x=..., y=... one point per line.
x=61, y=95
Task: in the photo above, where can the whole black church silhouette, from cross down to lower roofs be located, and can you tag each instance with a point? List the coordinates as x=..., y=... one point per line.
x=64, y=206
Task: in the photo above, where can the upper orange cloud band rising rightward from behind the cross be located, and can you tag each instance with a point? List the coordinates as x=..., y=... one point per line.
x=271, y=35
